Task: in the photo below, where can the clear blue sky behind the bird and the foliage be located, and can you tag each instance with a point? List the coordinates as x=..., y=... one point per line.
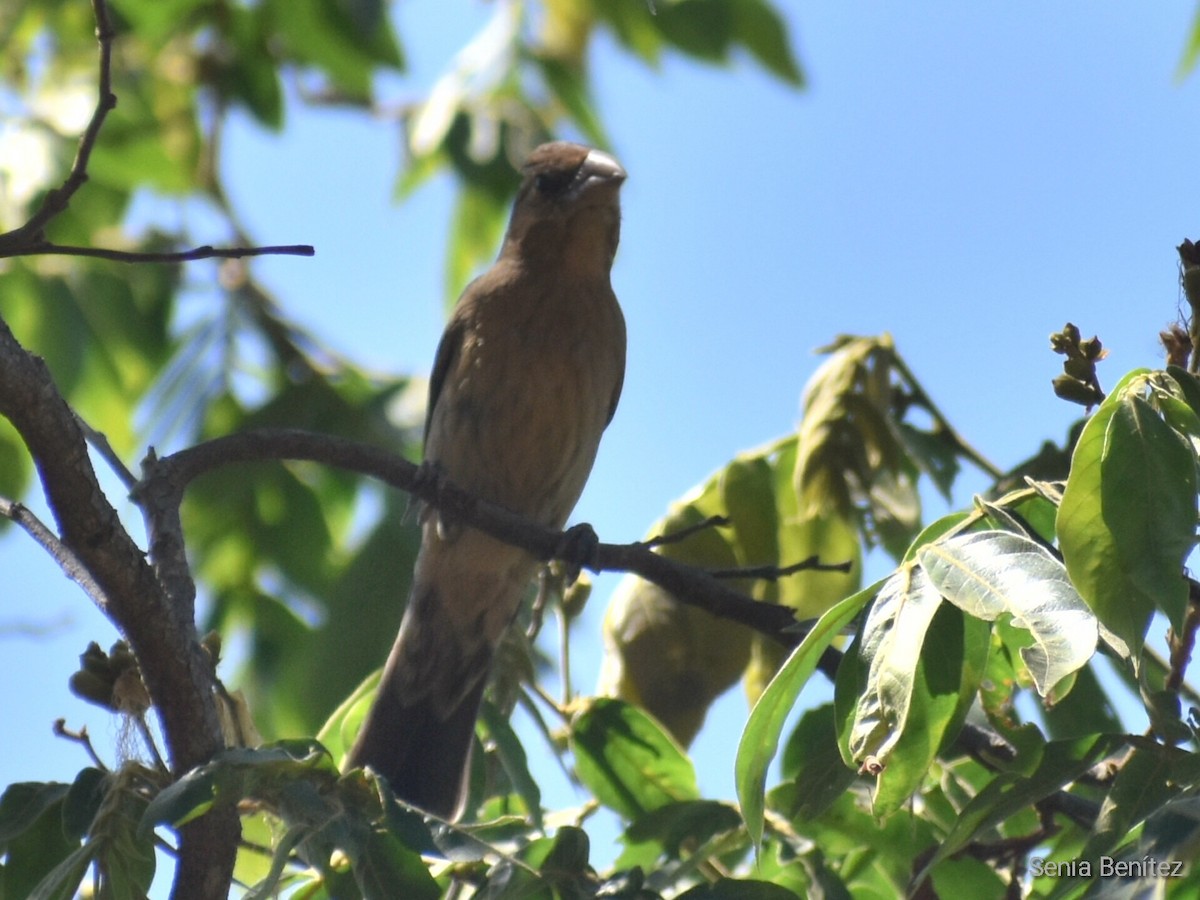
x=969, y=177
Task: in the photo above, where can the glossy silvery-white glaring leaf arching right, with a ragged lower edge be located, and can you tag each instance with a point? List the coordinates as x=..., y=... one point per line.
x=992, y=574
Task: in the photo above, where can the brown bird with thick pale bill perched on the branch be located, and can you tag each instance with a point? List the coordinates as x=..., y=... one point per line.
x=526, y=380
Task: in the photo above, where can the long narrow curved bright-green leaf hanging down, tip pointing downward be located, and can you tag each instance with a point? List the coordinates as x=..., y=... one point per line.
x=760, y=740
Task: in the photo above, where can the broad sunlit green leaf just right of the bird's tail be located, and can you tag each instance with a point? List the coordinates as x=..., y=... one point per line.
x=627, y=760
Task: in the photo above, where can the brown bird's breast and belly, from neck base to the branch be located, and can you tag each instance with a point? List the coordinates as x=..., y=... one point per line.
x=520, y=417
